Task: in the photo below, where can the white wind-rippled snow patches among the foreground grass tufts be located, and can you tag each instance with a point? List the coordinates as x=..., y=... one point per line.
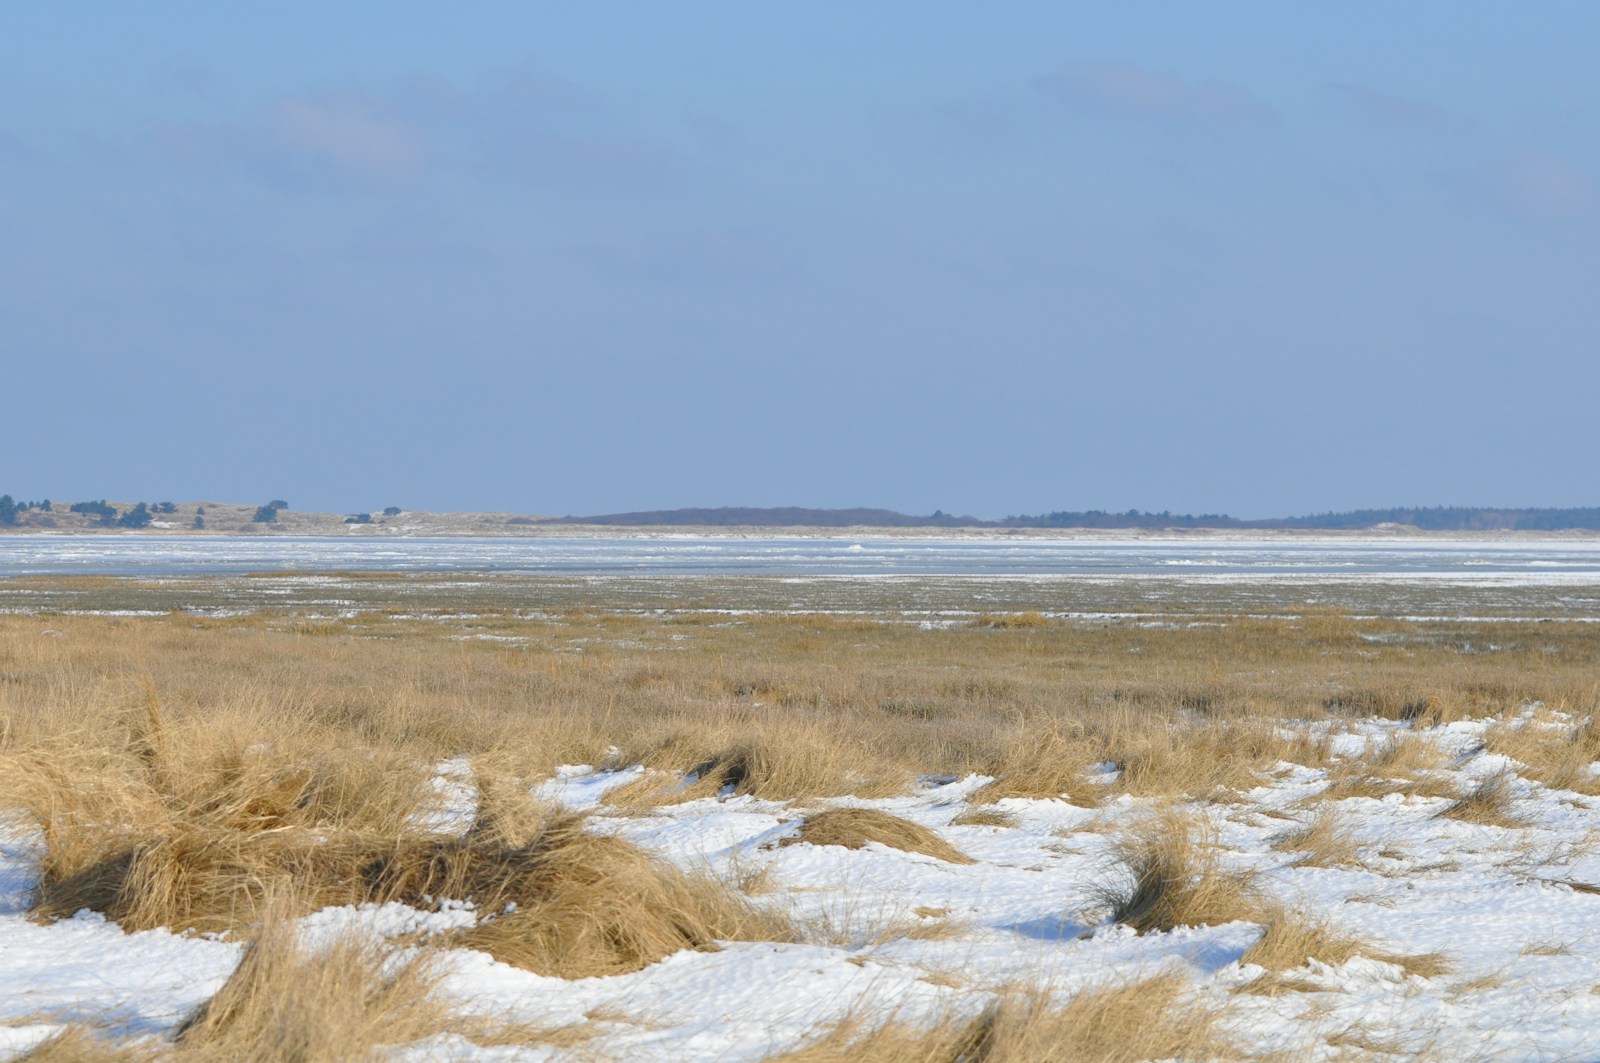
x=911, y=937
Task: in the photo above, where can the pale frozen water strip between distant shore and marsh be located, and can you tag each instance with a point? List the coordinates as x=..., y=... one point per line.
x=1209, y=560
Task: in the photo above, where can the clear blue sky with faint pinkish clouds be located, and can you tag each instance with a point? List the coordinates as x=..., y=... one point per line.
x=985, y=259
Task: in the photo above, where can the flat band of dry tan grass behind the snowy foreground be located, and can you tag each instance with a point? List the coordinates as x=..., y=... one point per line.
x=782, y=707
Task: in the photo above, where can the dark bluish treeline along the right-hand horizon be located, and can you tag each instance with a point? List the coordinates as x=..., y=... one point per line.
x=1428, y=519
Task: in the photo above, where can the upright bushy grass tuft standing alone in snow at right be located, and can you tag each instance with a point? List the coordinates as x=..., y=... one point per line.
x=1175, y=878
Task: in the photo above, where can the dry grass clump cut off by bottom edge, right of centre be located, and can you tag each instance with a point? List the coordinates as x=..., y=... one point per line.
x=1154, y=1019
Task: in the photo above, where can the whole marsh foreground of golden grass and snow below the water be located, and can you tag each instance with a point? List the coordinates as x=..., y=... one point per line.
x=492, y=819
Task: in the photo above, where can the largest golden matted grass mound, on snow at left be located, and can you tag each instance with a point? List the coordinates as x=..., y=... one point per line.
x=150, y=849
